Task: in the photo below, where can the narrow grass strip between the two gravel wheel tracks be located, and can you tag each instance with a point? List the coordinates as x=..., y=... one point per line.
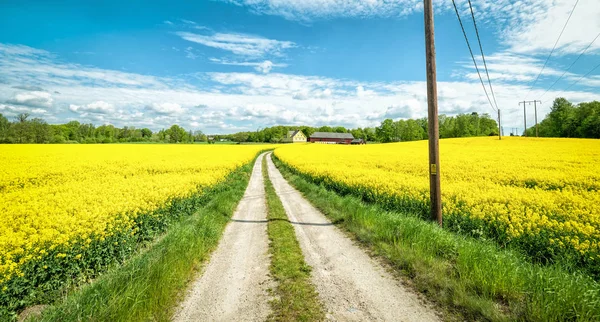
x=296, y=297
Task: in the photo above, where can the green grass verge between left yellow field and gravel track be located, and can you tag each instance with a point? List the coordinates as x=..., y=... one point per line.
x=150, y=284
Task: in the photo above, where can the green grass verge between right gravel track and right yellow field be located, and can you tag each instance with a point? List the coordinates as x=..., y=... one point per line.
x=471, y=279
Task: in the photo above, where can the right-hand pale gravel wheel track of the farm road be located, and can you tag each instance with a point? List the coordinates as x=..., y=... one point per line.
x=352, y=285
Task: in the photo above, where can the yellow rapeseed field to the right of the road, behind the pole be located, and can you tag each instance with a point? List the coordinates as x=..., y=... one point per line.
x=542, y=194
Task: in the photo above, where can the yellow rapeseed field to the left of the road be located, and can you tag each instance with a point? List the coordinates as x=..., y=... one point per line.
x=52, y=196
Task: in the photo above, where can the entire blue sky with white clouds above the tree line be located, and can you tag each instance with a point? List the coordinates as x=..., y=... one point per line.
x=225, y=66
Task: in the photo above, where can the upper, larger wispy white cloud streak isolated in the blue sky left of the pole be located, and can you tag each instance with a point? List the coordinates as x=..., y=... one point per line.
x=240, y=44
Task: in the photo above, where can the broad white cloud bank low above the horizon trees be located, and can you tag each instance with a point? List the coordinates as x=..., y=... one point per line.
x=244, y=101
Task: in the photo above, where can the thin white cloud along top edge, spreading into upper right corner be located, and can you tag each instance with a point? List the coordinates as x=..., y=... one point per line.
x=525, y=26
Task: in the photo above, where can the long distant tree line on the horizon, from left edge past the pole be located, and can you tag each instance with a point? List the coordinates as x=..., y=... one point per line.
x=24, y=129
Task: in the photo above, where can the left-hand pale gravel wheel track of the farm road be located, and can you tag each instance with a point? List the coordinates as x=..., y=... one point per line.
x=233, y=286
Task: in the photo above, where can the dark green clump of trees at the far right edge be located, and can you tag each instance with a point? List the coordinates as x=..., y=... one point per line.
x=570, y=121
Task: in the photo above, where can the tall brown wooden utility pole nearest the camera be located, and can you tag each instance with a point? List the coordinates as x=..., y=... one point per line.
x=435, y=193
